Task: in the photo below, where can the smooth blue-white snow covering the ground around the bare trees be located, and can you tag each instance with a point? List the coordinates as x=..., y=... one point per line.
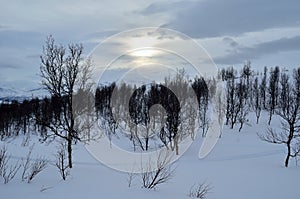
x=241, y=166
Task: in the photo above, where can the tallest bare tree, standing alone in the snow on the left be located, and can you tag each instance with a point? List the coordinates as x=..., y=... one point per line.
x=59, y=69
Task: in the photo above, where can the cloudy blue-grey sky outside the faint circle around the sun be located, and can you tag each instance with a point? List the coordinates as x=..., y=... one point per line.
x=233, y=31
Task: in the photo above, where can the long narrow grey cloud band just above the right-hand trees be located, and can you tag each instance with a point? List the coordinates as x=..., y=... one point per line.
x=241, y=53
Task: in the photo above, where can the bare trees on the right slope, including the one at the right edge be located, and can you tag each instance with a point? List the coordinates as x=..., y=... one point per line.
x=276, y=93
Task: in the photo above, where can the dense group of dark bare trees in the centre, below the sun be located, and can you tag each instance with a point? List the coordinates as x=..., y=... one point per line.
x=159, y=111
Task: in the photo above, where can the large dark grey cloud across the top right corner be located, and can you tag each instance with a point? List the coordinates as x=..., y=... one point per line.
x=212, y=18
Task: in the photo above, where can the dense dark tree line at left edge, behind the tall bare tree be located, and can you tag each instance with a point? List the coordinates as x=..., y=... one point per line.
x=28, y=117
